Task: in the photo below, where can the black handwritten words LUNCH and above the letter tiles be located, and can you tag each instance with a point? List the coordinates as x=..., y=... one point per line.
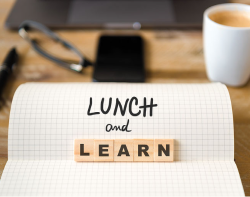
x=129, y=103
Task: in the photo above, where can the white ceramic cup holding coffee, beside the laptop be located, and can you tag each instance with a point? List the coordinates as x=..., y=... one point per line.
x=226, y=49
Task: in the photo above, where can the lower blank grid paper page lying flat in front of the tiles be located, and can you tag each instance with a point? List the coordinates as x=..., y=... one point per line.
x=69, y=178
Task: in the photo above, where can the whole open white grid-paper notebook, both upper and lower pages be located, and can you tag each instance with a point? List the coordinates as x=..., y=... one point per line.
x=46, y=118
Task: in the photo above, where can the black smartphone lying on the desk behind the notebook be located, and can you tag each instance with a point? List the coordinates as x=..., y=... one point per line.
x=119, y=59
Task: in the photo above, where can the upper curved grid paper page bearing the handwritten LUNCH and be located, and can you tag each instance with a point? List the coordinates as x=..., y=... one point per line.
x=46, y=118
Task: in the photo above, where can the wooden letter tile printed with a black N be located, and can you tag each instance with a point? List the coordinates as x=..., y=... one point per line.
x=164, y=150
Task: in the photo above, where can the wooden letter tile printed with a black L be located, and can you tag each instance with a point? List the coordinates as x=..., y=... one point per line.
x=84, y=150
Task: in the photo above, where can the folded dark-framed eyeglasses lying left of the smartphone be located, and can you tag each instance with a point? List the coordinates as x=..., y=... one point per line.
x=28, y=26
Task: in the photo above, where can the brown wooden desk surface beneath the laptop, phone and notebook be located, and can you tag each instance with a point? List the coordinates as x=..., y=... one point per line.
x=171, y=57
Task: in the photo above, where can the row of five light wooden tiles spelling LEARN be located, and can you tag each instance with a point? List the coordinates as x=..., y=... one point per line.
x=124, y=150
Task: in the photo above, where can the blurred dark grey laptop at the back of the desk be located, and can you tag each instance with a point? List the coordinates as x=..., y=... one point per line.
x=127, y=14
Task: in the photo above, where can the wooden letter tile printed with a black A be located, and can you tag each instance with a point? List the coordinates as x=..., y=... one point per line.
x=123, y=150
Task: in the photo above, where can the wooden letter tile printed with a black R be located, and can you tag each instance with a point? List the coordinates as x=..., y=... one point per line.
x=143, y=150
